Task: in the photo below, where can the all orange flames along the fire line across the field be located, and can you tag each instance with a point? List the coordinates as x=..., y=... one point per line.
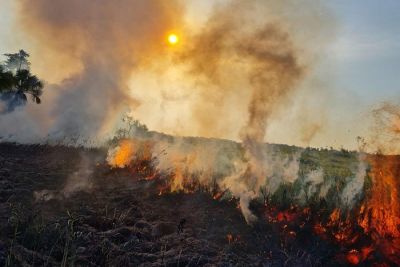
x=371, y=229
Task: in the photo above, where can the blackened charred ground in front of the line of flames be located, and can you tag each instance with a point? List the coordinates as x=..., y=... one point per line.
x=66, y=206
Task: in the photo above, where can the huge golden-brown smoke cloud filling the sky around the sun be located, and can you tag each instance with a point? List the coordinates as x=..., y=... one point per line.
x=97, y=46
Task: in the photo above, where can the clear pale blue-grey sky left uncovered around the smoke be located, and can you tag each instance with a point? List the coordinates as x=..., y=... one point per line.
x=361, y=66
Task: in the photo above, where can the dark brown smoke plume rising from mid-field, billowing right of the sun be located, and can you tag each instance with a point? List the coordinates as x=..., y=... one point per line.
x=270, y=64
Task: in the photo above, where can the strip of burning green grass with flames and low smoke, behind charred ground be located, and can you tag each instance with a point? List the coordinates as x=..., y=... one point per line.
x=358, y=213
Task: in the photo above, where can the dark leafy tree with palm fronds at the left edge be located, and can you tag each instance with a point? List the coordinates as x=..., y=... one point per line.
x=16, y=82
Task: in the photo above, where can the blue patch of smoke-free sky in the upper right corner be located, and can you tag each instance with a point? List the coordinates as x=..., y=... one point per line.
x=366, y=52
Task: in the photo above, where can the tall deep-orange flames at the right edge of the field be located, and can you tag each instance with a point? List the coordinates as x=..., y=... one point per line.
x=379, y=215
